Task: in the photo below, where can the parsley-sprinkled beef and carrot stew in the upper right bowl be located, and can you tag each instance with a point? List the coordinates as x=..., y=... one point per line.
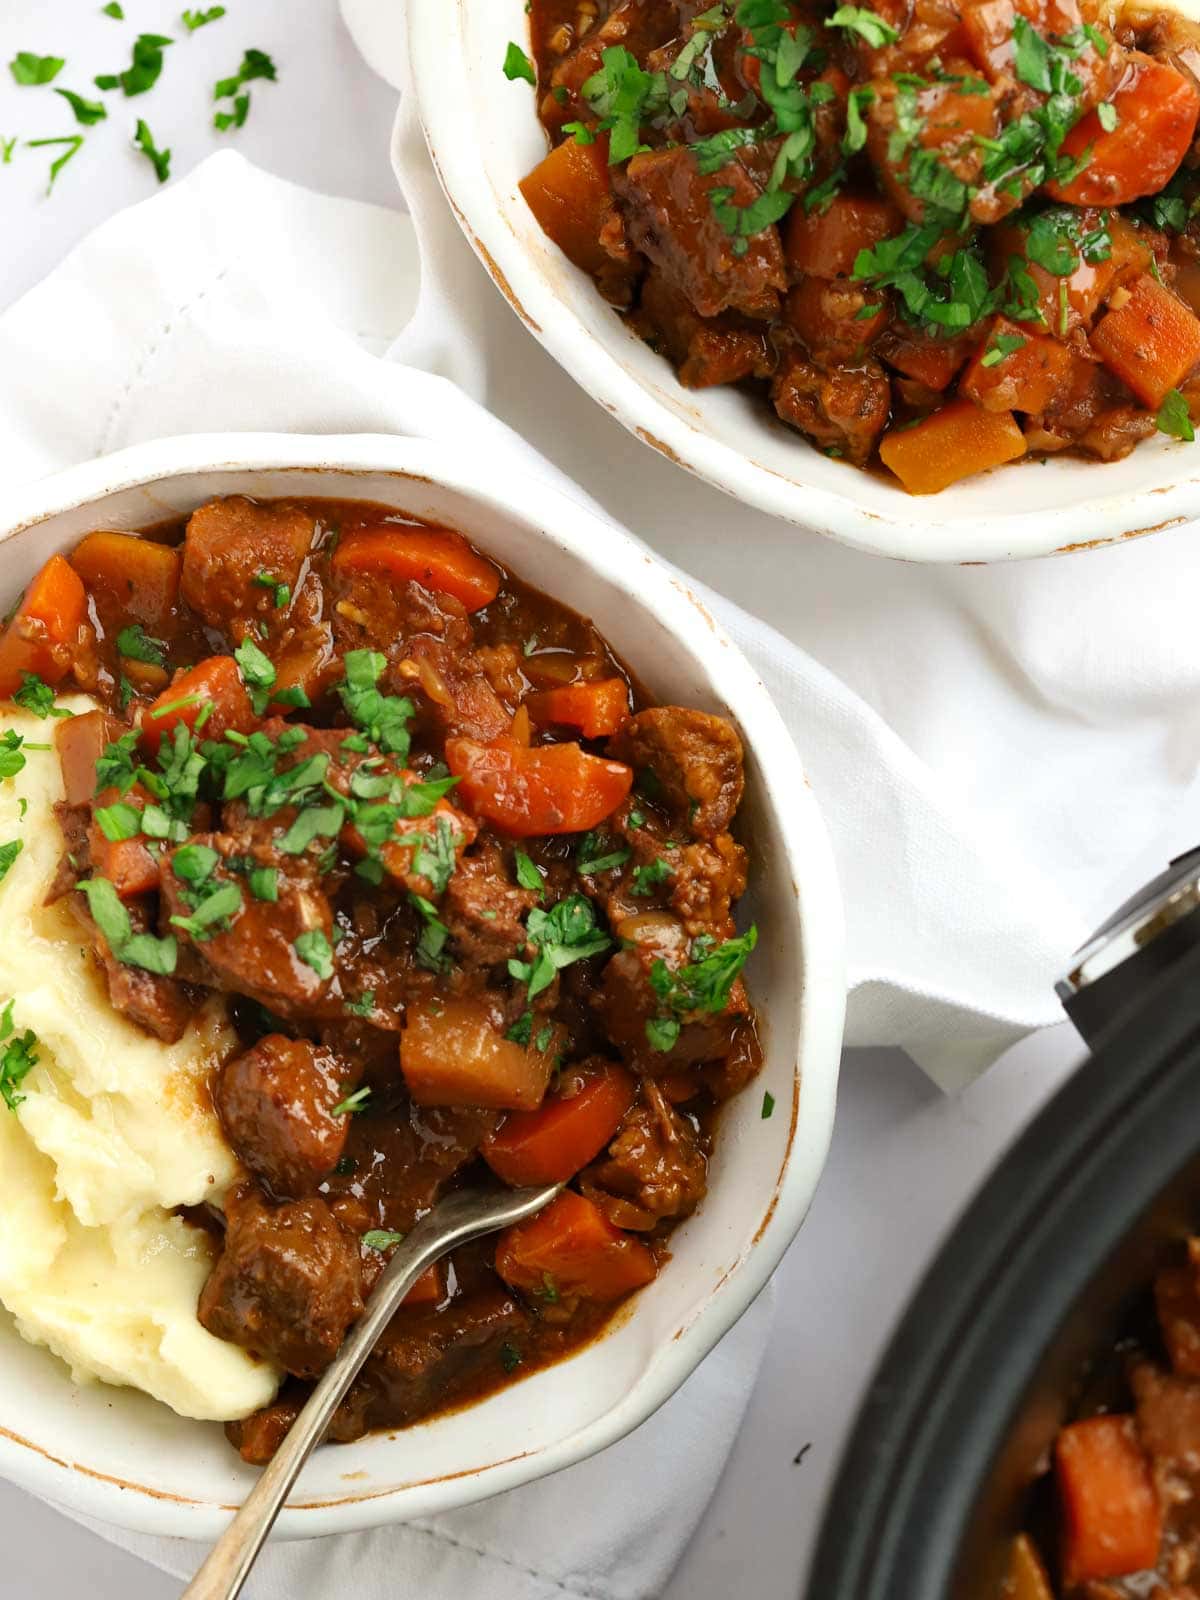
x=937, y=234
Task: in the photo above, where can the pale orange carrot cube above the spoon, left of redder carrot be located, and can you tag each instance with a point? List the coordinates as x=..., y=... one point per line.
x=452, y=1054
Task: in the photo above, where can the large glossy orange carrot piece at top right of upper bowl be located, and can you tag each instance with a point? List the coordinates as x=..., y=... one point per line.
x=1156, y=121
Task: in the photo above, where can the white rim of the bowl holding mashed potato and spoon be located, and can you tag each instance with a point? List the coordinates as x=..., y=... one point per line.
x=610, y=553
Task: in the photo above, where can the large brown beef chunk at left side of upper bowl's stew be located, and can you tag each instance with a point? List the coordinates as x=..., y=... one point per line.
x=670, y=215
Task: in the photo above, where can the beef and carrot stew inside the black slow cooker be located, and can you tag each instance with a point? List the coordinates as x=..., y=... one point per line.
x=1119, y=1516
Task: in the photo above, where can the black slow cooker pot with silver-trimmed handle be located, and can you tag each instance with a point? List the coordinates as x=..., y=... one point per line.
x=1042, y=1271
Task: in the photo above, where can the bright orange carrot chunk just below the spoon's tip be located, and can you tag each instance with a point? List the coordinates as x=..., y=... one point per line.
x=574, y=1249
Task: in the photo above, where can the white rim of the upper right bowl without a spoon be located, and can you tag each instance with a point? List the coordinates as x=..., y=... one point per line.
x=441, y=87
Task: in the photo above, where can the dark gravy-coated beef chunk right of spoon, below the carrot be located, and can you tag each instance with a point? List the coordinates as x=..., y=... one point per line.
x=428, y=1358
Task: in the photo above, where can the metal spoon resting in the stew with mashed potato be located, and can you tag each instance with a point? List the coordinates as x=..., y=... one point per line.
x=457, y=1220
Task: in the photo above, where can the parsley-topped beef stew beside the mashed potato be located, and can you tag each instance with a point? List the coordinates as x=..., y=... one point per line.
x=471, y=895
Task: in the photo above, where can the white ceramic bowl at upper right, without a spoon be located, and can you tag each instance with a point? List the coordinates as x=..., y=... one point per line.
x=484, y=137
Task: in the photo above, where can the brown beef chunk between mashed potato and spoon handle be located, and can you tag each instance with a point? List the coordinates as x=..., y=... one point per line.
x=287, y=1286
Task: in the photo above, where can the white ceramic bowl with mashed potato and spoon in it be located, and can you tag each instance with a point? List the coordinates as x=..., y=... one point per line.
x=130, y=1462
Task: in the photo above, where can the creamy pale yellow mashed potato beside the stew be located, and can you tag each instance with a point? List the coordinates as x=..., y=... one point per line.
x=114, y=1134
